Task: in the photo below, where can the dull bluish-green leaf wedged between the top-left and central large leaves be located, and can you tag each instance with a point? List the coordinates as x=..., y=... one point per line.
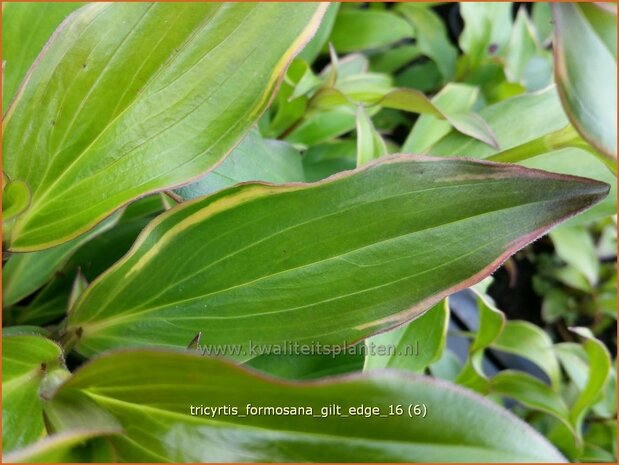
x=255, y=159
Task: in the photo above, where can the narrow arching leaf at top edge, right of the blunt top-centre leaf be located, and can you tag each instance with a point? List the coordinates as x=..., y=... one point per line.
x=432, y=38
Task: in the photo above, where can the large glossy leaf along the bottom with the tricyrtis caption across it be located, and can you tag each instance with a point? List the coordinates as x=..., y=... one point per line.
x=151, y=394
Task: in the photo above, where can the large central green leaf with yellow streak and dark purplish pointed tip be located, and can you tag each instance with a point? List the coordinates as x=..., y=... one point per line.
x=333, y=261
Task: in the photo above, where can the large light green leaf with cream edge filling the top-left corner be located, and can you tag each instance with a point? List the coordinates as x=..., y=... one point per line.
x=131, y=98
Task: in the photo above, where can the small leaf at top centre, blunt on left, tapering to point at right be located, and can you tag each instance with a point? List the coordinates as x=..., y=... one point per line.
x=356, y=30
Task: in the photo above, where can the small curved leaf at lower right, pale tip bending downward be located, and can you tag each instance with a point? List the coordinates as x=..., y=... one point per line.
x=531, y=342
